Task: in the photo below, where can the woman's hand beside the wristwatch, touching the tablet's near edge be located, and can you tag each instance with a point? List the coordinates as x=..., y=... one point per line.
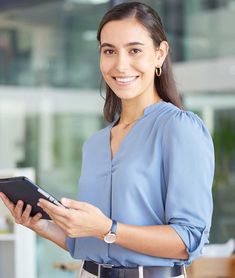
x=78, y=219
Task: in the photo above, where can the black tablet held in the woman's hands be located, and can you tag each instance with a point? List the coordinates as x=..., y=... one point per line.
x=22, y=188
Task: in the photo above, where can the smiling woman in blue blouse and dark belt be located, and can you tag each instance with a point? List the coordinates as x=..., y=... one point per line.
x=145, y=202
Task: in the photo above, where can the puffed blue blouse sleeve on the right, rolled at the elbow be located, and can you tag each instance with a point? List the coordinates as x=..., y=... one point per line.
x=188, y=163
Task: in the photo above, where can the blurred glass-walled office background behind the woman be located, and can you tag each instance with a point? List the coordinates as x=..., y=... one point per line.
x=50, y=92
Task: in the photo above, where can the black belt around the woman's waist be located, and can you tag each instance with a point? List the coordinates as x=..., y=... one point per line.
x=109, y=271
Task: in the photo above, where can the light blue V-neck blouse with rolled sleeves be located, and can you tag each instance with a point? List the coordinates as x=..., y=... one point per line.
x=161, y=174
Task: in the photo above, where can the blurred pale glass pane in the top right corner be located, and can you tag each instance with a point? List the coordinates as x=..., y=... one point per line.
x=208, y=32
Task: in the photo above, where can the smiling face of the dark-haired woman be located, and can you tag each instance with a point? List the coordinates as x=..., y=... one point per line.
x=128, y=58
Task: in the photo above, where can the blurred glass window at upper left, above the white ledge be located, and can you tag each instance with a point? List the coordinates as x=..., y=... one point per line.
x=51, y=44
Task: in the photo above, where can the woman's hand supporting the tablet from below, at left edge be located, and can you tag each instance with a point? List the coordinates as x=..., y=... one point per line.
x=23, y=217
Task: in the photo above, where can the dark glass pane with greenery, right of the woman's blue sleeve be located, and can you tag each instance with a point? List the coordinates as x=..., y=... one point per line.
x=224, y=184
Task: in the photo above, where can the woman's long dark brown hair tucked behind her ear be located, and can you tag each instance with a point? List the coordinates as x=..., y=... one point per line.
x=165, y=84
